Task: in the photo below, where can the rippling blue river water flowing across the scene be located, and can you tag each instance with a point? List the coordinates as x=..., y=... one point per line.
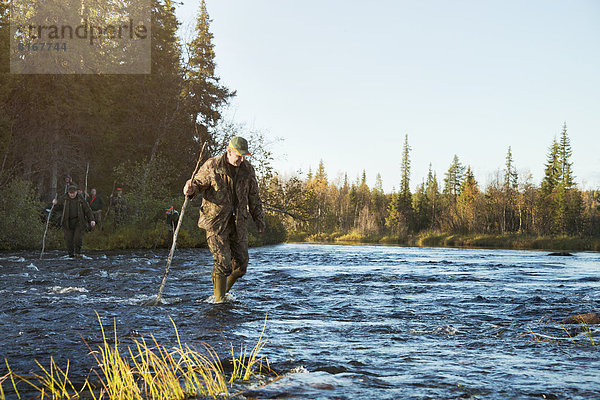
x=364, y=322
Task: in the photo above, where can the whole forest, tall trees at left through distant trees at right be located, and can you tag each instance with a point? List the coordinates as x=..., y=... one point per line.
x=144, y=133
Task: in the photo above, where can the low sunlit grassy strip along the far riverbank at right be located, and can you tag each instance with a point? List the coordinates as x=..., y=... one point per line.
x=436, y=239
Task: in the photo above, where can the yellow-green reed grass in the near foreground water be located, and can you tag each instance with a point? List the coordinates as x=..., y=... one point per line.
x=146, y=370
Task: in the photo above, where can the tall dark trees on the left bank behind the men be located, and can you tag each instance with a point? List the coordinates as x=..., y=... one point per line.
x=140, y=132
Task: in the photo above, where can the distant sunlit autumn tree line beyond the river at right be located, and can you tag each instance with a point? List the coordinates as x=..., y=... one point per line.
x=453, y=203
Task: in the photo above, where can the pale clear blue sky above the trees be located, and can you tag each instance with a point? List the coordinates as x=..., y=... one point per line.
x=344, y=81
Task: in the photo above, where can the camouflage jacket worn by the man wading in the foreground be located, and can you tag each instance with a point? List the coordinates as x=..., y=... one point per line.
x=214, y=182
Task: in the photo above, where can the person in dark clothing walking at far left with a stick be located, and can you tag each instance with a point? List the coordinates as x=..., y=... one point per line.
x=76, y=213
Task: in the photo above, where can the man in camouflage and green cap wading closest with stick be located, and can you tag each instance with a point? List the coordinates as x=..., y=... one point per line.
x=230, y=190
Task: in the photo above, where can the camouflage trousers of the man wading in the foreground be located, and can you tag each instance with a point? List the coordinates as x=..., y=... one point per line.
x=229, y=253
